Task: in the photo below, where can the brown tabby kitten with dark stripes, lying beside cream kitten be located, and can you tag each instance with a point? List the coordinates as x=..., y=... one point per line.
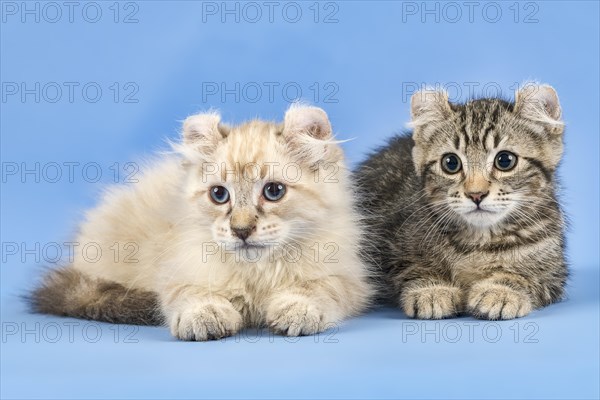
x=465, y=209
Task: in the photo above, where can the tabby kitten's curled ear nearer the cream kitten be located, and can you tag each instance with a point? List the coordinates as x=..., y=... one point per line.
x=429, y=105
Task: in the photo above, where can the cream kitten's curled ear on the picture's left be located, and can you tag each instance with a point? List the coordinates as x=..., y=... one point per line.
x=201, y=134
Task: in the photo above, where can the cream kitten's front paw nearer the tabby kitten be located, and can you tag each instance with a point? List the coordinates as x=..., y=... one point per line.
x=295, y=316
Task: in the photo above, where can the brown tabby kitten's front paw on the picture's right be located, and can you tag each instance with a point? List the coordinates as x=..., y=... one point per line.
x=496, y=301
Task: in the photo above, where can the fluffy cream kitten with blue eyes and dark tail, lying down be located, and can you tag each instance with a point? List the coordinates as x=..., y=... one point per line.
x=250, y=225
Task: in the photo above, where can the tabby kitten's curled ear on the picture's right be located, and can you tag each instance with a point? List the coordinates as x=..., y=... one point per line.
x=539, y=103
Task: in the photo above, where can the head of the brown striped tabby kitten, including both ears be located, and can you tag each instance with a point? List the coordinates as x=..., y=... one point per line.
x=486, y=158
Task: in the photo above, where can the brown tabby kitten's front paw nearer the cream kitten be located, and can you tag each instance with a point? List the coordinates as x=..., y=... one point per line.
x=431, y=302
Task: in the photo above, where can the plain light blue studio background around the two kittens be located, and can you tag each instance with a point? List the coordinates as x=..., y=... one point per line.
x=365, y=62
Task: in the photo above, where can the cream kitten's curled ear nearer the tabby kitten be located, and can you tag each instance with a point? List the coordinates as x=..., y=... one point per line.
x=308, y=133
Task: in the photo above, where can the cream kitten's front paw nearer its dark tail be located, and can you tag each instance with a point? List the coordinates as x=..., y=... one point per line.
x=213, y=319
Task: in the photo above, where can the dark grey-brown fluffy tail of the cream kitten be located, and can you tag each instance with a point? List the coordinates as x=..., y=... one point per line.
x=68, y=292
